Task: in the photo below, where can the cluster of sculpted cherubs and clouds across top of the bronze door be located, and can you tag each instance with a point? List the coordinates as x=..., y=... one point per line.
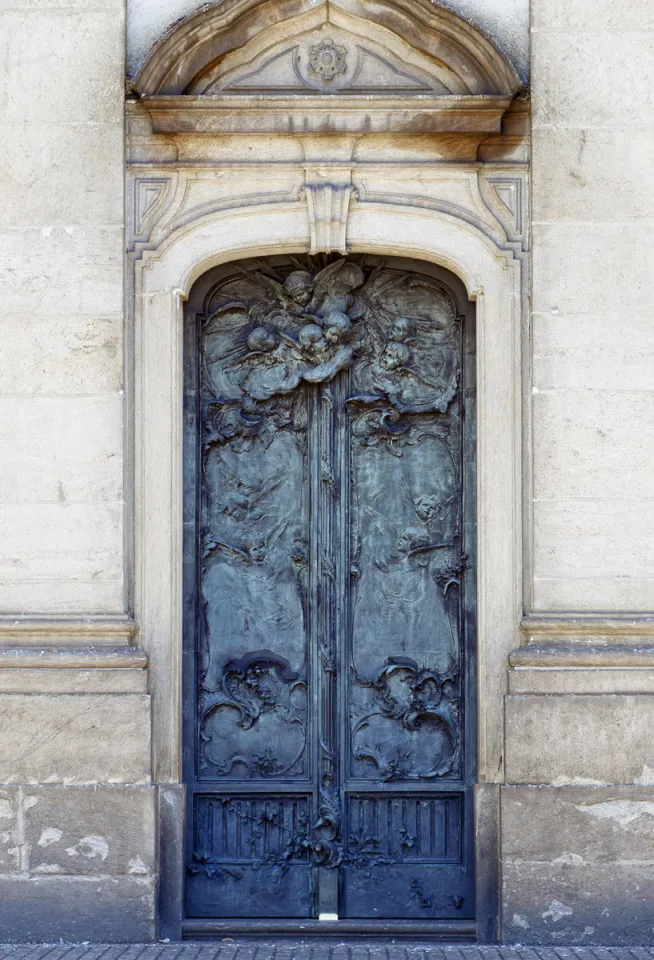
x=276, y=333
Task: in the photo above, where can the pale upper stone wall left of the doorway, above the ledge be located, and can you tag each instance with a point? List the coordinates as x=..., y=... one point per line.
x=61, y=391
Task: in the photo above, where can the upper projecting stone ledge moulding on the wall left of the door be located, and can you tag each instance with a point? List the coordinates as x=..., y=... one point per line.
x=16, y=631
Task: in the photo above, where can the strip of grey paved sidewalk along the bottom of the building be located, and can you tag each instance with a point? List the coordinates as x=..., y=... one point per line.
x=312, y=950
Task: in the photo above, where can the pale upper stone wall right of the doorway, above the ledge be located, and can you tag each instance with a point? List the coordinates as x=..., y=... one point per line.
x=593, y=379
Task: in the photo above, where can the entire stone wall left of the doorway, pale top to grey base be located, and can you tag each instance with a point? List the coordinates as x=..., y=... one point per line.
x=76, y=811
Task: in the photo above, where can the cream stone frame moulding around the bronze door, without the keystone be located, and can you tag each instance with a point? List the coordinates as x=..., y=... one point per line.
x=493, y=271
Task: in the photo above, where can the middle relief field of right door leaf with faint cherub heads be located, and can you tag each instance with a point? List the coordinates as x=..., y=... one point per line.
x=403, y=546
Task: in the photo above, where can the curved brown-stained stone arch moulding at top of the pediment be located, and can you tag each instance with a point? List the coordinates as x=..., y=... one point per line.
x=444, y=46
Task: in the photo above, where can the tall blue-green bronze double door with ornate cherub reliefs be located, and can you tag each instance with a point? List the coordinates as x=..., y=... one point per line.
x=330, y=597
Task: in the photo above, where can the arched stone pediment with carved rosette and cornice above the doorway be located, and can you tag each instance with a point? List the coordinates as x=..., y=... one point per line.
x=340, y=65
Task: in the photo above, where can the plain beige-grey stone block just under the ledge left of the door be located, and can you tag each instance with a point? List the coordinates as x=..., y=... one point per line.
x=78, y=738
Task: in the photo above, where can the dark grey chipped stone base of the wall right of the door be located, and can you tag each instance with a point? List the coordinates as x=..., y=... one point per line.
x=577, y=864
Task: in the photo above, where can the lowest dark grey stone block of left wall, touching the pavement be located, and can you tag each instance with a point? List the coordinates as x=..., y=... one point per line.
x=106, y=909
